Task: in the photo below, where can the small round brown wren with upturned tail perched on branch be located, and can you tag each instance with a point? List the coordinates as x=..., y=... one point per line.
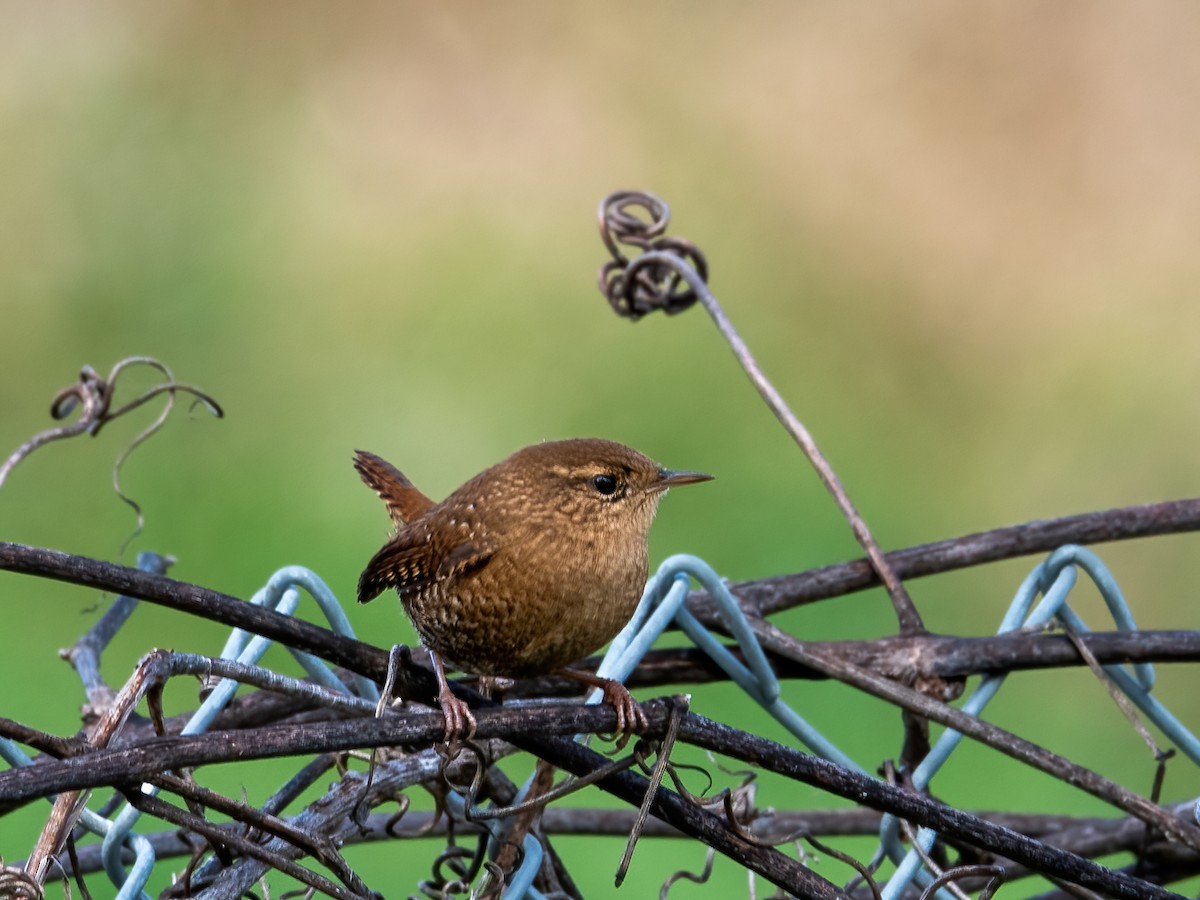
x=527, y=568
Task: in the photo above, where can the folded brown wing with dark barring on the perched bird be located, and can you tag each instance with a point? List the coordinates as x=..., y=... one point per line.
x=413, y=561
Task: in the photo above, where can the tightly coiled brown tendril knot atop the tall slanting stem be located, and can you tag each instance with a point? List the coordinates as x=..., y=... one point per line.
x=634, y=289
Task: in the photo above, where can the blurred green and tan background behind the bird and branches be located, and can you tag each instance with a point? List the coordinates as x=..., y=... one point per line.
x=961, y=239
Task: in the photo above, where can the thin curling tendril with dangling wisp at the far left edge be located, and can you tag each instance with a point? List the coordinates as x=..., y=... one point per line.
x=93, y=395
